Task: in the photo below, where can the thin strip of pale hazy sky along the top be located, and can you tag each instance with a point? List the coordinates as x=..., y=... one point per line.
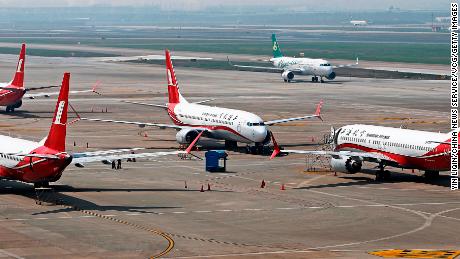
x=332, y=5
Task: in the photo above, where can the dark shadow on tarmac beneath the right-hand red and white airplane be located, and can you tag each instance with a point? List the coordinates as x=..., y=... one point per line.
x=442, y=180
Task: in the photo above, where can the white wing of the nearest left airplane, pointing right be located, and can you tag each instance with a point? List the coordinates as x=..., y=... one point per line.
x=106, y=157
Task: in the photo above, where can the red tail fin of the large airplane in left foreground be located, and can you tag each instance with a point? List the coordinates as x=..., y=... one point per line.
x=57, y=134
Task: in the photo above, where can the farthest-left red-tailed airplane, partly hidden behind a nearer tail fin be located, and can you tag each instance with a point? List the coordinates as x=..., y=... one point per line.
x=12, y=93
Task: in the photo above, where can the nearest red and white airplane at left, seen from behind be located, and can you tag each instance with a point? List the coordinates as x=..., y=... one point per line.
x=43, y=162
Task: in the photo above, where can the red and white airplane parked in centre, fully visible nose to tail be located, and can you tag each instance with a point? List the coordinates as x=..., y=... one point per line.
x=194, y=120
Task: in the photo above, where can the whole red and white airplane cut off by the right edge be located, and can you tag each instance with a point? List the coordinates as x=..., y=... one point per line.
x=386, y=146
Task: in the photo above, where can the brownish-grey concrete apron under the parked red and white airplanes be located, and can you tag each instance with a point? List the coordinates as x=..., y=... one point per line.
x=145, y=210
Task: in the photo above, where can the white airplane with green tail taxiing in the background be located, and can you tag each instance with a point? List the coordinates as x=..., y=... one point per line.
x=291, y=66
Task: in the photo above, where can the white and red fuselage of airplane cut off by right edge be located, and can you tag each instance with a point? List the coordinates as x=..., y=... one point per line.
x=412, y=149
